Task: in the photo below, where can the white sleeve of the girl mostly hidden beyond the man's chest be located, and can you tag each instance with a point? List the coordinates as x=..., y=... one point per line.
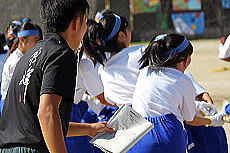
x=90, y=77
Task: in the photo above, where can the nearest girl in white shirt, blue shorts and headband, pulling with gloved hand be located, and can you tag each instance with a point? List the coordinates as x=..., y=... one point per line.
x=165, y=96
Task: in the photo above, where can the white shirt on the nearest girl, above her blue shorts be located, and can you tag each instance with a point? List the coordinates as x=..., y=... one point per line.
x=164, y=91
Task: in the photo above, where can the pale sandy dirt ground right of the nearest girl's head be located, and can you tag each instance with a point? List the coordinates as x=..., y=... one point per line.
x=217, y=84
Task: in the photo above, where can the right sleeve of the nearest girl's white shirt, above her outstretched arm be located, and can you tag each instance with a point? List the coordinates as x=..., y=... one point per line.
x=188, y=110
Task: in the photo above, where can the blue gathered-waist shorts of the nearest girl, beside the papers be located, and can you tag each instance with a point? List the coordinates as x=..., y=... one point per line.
x=167, y=136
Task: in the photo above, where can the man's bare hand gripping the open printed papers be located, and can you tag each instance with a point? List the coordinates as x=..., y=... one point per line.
x=99, y=127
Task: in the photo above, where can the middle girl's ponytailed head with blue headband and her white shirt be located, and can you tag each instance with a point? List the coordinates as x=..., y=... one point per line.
x=108, y=42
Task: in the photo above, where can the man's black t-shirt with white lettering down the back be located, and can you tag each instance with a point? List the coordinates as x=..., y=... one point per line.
x=47, y=68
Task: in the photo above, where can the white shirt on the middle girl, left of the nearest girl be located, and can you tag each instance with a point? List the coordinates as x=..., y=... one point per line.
x=119, y=75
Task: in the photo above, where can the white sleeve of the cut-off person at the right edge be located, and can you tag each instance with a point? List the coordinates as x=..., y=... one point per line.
x=224, y=49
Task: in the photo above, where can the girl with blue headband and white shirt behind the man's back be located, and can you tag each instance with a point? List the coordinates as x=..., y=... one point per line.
x=28, y=36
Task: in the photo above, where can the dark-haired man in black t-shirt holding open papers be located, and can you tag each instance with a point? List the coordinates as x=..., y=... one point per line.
x=39, y=100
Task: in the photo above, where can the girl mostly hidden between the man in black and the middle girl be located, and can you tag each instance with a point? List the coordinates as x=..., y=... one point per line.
x=87, y=81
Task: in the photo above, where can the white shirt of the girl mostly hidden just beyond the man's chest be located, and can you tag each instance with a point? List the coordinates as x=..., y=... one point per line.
x=87, y=80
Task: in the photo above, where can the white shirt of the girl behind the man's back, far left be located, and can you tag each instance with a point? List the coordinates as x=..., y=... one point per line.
x=8, y=70
